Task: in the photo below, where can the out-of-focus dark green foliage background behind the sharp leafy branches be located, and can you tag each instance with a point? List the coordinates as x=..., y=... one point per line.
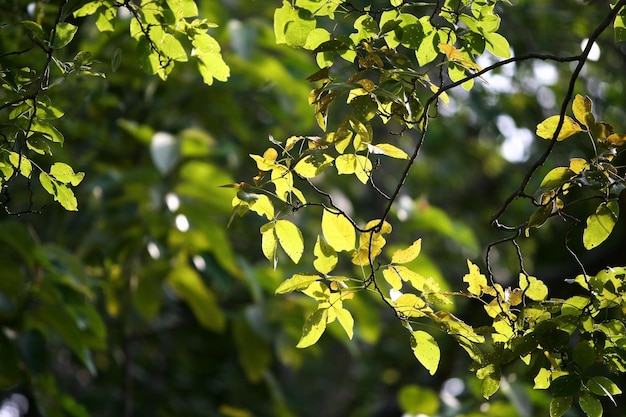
x=144, y=303
